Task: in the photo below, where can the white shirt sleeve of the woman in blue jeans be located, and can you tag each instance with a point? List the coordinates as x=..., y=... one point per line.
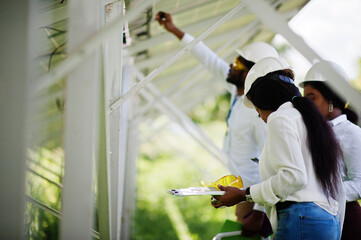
x=282, y=153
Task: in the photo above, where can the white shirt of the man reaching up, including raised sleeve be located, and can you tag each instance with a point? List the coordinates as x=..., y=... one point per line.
x=246, y=131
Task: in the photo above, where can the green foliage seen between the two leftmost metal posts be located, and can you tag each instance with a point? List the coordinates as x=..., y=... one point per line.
x=40, y=224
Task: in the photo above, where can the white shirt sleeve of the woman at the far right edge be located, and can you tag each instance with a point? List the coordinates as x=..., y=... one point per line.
x=352, y=157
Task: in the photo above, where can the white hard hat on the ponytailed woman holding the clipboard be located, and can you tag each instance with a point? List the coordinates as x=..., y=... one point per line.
x=260, y=69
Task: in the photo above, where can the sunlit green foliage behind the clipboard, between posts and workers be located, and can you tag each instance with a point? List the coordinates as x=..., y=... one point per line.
x=161, y=168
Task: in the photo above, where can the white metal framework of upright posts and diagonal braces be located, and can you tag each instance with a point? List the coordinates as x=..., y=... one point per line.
x=82, y=127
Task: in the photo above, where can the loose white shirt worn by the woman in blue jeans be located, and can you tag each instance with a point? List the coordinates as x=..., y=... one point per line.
x=286, y=167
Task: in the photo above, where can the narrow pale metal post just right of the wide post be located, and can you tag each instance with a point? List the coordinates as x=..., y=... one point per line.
x=113, y=62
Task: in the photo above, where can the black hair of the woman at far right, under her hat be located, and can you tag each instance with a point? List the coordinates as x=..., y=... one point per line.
x=337, y=101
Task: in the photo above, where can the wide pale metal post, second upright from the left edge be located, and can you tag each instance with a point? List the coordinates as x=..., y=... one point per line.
x=81, y=125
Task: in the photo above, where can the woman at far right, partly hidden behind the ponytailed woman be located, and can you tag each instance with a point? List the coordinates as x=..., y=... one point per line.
x=343, y=121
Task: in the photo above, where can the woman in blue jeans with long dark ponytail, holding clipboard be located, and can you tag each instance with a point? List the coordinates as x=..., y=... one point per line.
x=300, y=163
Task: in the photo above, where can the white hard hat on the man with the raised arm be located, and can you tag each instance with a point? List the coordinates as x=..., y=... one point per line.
x=256, y=51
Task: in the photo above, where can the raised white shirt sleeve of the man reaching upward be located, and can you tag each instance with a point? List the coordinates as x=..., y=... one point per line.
x=210, y=60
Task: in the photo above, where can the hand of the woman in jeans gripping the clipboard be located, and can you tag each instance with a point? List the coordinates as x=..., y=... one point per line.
x=231, y=197
